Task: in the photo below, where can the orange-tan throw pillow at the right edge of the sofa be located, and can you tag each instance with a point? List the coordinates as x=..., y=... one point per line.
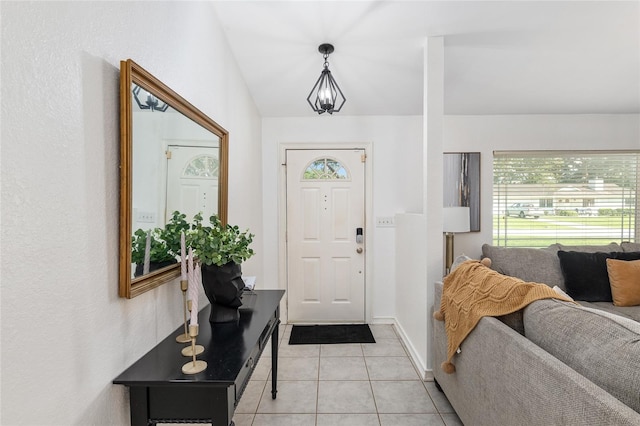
x=624, y=277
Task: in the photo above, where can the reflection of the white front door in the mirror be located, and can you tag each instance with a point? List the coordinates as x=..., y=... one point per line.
x=192, y=181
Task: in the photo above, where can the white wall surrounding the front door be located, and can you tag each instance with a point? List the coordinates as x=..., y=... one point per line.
x=396, y=159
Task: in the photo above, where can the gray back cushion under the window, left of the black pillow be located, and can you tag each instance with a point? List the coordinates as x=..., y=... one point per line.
x=531, y=265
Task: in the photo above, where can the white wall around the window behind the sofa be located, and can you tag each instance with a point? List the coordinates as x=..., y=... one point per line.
x=486, y=134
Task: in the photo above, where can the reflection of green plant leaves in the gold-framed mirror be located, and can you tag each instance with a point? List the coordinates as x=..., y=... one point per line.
x=164, y=244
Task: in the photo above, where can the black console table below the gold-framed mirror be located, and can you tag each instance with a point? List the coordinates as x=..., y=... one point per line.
x=161, y=393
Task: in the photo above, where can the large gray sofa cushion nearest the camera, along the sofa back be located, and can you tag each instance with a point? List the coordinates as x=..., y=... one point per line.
x=605, y=348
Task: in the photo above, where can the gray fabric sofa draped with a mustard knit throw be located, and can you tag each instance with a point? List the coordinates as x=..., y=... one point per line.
x=553, y=363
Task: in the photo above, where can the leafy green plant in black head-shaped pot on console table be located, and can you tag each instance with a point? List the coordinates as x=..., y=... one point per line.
x=220, y=250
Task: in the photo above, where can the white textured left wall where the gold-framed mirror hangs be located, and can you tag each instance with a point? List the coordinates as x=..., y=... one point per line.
x=65, y=333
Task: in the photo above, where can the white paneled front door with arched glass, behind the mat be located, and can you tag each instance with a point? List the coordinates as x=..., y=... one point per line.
x=325, y=235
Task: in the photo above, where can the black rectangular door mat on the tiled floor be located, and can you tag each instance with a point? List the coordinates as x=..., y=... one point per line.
x=330, y=334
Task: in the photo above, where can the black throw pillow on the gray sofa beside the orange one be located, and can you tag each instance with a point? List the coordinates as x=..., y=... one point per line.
x=586, y=276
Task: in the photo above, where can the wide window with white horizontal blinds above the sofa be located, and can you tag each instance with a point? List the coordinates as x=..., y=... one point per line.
x=569, y=197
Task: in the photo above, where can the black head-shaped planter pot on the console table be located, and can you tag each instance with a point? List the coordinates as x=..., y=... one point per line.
x=223, y=286
